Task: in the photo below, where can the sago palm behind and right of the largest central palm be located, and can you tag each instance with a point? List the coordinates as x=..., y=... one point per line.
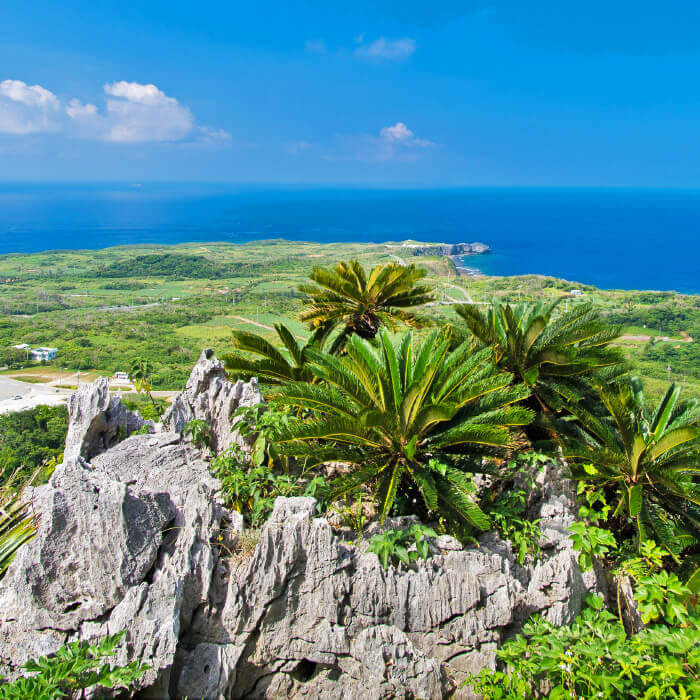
x=552, y=354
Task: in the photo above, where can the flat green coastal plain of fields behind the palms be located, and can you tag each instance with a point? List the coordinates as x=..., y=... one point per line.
x=103, y=309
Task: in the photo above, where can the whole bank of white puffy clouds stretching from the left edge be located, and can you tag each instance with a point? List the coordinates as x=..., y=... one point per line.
x=133, y=113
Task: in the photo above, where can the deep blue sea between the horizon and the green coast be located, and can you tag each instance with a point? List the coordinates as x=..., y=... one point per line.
x=612, y=238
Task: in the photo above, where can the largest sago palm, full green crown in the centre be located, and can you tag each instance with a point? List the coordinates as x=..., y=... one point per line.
x=409, y=421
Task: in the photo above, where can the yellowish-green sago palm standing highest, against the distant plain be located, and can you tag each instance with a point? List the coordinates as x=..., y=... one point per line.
x=358, y=302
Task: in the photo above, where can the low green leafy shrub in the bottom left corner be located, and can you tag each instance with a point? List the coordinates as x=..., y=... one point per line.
x=73, y=669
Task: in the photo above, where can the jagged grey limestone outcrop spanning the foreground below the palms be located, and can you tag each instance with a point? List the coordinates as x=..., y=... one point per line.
x=137, y=539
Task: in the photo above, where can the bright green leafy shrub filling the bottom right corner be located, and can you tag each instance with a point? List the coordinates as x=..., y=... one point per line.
x=594, y=658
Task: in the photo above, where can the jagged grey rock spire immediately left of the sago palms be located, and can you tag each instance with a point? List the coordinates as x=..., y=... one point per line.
x=211, y=397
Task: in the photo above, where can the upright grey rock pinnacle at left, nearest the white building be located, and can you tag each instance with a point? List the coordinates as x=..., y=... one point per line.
x=97, y=420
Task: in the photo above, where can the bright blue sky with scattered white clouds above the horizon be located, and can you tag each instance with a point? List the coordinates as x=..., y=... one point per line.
x=363, y=93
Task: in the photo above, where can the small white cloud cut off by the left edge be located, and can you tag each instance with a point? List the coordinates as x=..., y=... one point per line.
x=27, y=109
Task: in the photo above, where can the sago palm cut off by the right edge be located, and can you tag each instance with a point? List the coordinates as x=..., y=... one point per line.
x=651, y=454
